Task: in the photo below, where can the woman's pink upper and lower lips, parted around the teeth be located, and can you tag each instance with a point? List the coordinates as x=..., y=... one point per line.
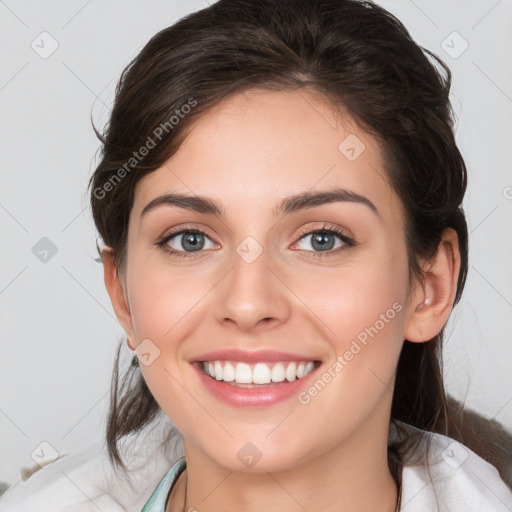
x=261, y=396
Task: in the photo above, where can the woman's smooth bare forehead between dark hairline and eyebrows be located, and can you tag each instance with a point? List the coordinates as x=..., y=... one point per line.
x=257, y=146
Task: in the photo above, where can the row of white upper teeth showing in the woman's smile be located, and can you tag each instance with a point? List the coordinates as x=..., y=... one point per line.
x=259, y=373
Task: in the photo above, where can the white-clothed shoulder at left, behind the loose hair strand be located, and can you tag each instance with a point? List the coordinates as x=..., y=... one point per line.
x=84, y=480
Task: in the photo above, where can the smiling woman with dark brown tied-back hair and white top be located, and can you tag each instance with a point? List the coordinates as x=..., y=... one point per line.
x=280, y=198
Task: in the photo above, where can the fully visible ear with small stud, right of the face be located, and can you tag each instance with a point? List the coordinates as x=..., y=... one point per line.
x=431, y=304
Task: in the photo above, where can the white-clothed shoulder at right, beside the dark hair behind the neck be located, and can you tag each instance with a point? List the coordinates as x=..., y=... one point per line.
x=447, y=476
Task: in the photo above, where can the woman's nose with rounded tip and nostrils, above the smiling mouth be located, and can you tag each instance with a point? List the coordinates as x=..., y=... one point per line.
x=252, y=297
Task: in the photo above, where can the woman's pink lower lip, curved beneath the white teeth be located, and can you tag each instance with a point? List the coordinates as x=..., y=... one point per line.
x=253, y=397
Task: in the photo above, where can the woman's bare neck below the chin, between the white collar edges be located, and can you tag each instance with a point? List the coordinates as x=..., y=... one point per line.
x=353, y=475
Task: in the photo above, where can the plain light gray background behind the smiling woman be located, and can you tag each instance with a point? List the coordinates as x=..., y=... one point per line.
x=57, y=327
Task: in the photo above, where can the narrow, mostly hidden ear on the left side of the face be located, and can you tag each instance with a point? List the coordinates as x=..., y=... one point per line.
x=118, y=296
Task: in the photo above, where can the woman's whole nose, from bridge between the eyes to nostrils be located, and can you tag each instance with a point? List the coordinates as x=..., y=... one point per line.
x=251, y=291
